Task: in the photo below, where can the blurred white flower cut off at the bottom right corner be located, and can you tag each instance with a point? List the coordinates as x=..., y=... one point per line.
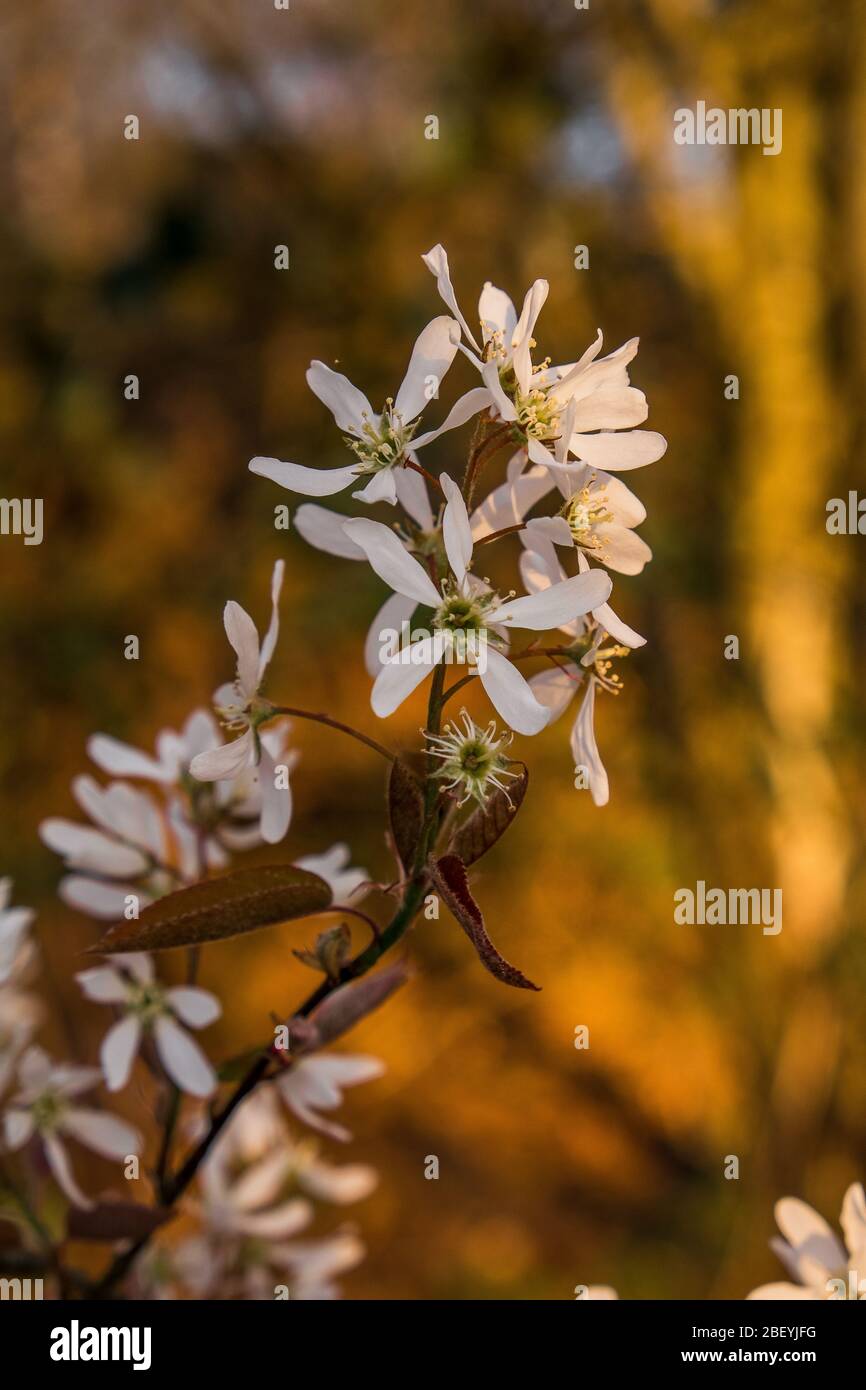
x=814, y=1254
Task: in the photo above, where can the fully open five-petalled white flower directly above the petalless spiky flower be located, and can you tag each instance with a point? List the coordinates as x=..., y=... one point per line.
x=469, y=619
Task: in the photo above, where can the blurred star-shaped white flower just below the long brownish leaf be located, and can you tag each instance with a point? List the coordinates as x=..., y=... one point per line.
x=130, y=985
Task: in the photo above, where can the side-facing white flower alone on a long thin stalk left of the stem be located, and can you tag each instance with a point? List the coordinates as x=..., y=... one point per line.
x=241, y=708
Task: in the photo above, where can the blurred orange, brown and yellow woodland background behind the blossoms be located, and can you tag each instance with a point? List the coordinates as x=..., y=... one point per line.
x=156, y=258
